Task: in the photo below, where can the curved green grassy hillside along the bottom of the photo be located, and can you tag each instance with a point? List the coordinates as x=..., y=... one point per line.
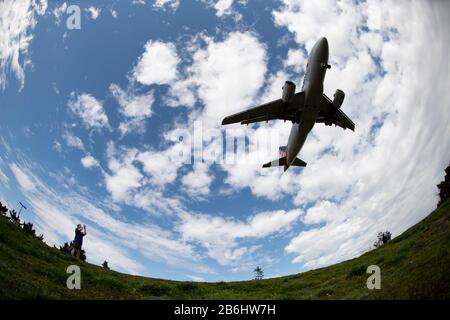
x=414, y=265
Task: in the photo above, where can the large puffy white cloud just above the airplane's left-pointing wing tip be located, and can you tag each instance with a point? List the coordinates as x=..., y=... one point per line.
x=217, y=71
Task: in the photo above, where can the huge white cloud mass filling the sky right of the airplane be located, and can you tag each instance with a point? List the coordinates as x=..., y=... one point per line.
x=382, y=176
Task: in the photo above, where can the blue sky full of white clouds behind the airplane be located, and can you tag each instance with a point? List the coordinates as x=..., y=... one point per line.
x=91, y=120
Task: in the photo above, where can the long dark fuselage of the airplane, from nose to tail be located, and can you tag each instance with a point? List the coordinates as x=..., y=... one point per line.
x=313, y=88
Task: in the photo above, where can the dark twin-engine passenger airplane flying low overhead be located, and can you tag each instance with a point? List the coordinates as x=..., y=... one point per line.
x=303, y=109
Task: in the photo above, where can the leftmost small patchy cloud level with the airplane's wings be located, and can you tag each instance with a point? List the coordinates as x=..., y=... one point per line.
x=89, y=109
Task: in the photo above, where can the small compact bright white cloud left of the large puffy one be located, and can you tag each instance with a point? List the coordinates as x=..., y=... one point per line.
x=158, y=64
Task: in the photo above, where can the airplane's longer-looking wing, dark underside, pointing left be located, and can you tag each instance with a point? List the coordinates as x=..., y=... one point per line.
x=277, y=109
